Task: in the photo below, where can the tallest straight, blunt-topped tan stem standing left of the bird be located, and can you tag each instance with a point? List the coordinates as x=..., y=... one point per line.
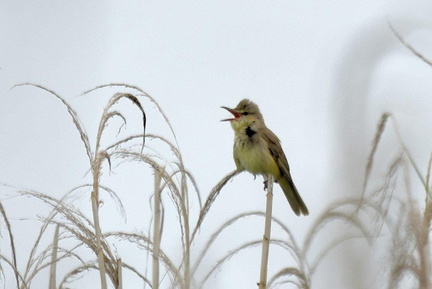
x=156, y=228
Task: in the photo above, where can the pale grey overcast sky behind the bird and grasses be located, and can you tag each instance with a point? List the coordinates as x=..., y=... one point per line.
x=322, y=73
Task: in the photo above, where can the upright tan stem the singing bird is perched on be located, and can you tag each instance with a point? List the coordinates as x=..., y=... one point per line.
x=267, y=233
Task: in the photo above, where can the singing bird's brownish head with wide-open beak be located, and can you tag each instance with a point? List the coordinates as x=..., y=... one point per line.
x=245, y=114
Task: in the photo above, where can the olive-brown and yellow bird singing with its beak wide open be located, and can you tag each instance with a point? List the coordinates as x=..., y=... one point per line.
x=258, y=150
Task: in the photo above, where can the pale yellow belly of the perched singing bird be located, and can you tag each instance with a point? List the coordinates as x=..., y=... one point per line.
x=256, y=160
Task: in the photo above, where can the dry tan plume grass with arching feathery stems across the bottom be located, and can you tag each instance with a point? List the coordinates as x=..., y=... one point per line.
x=71, y=238
